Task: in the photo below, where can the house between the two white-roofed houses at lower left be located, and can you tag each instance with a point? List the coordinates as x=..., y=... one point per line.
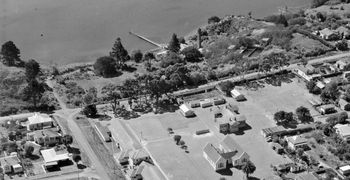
x=45, y=137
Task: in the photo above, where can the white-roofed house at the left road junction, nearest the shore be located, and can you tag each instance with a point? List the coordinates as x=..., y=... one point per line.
x=39, y=121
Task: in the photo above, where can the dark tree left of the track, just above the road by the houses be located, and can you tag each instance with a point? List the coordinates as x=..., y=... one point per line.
x=34, y=91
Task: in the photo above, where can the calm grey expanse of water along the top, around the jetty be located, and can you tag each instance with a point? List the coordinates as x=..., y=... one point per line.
x=65, y=31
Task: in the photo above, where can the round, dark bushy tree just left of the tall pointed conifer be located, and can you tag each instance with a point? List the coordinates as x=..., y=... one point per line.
x=105, y=67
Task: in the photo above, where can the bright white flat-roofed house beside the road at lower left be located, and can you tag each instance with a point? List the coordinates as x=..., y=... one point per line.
x=53, y=157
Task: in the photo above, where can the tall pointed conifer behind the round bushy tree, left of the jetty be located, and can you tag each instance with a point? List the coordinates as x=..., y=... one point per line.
x=119, y=53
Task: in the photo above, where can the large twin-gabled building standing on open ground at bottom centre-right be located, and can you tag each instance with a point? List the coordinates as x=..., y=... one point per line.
x=228, y=153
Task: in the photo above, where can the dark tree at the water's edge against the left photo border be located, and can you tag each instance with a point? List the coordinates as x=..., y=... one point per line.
x=10, y=54
